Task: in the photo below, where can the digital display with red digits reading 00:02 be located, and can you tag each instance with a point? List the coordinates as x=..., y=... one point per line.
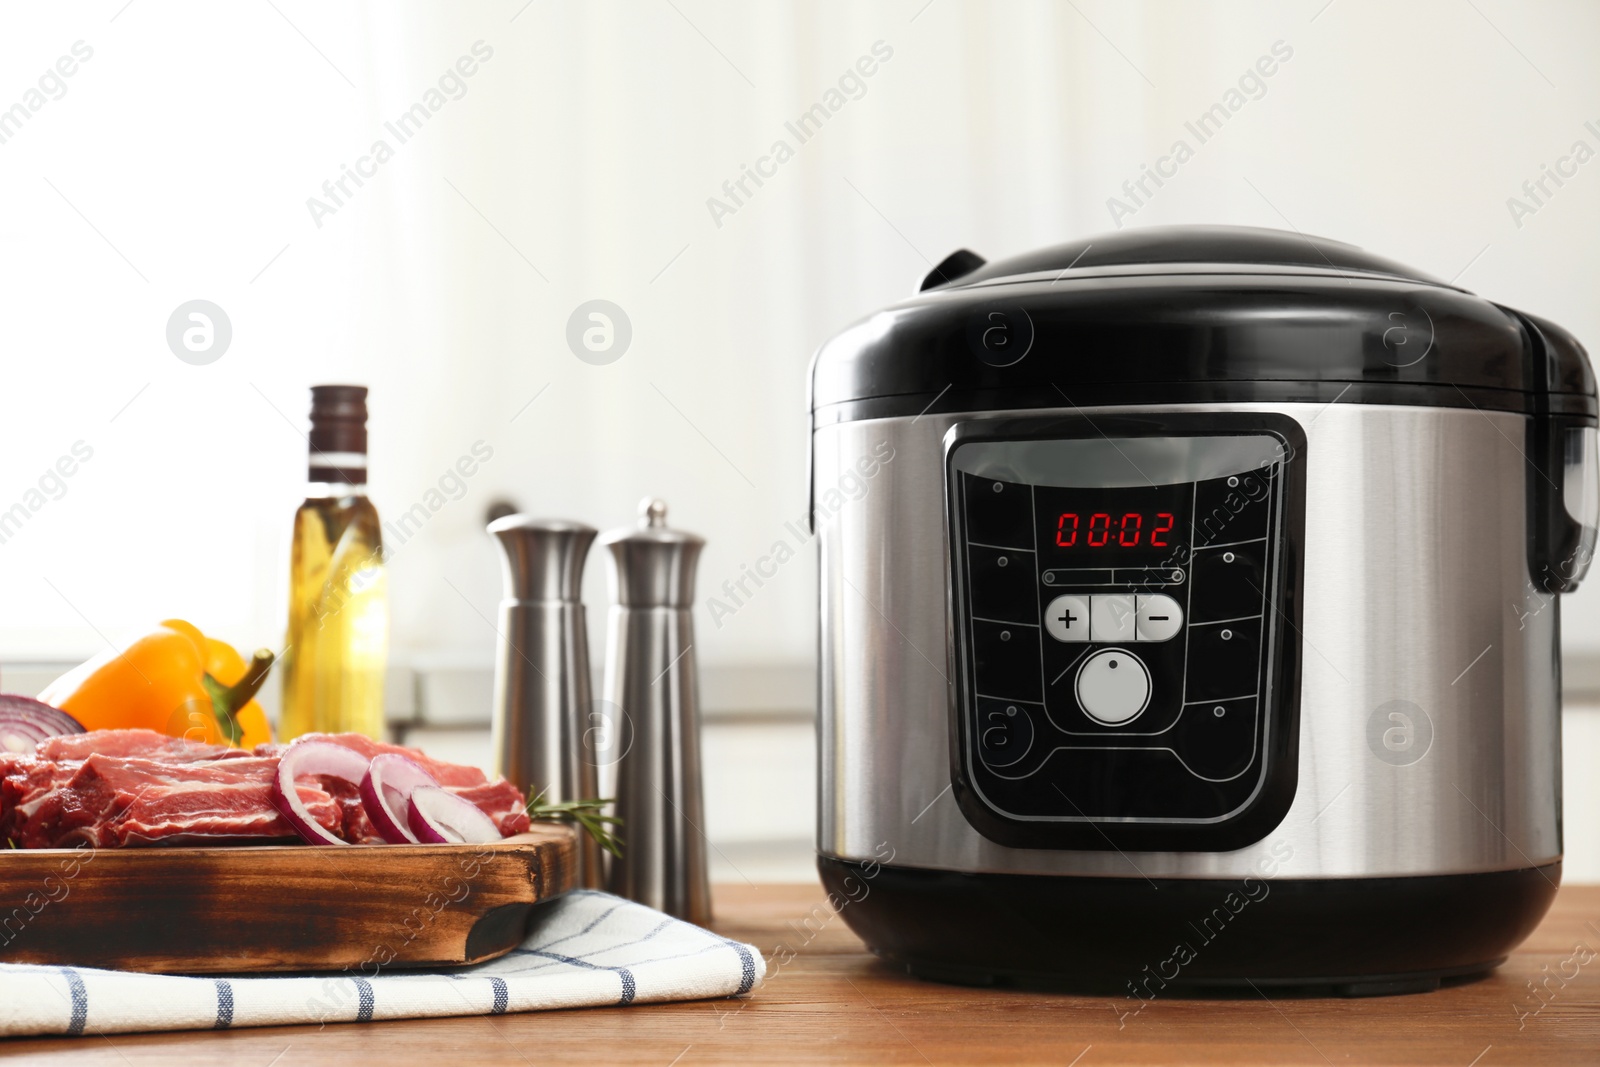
x=1127, y=526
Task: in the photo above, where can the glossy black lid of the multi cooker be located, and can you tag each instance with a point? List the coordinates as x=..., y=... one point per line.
x=1194, y=314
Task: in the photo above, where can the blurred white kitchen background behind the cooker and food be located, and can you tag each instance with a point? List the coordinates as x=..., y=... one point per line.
x=602, y=151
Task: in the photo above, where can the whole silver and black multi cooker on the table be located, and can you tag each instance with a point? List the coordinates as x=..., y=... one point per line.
x=1190, y=617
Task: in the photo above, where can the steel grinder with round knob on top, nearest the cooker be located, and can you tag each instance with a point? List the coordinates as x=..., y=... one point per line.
x=652, y=685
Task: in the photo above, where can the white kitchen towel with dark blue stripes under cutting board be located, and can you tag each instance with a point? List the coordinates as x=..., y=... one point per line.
x=583, y=951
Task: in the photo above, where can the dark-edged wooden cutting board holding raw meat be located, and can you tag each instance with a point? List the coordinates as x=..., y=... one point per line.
x=279, y=908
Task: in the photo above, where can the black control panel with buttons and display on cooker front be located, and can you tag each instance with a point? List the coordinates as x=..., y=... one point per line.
x=1121, y=625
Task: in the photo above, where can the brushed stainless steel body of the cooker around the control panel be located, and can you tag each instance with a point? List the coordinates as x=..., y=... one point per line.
x=1430, y=674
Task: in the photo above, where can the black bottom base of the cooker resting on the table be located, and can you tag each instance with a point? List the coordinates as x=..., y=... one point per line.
x=1183, y=937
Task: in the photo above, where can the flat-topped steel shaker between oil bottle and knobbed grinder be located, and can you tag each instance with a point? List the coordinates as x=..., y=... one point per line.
x=542, y=669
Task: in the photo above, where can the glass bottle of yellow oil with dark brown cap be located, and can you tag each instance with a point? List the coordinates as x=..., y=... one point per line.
x=338, y=636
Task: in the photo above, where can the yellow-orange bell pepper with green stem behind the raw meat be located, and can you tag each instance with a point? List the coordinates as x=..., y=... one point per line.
x=174, y=681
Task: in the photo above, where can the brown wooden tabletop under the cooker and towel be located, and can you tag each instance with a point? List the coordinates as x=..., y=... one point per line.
x=838, y=1004
